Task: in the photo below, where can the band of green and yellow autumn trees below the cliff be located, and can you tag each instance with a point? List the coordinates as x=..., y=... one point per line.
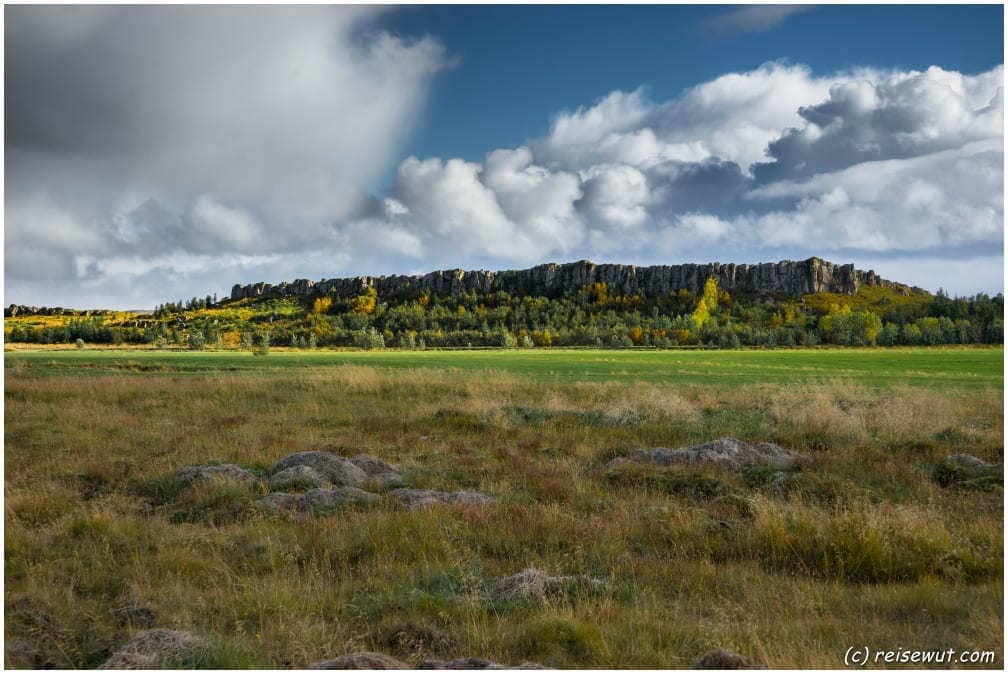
x=594, y=316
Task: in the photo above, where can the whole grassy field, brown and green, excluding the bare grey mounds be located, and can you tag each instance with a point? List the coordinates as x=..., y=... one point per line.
x=859, y=546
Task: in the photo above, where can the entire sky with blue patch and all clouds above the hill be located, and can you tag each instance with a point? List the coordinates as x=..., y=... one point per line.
x=158, y=154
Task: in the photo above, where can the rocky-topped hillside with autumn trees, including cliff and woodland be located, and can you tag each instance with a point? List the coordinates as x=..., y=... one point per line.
x=578, y=305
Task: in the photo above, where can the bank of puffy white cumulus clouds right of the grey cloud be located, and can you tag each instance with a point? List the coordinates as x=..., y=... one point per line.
x=749, y=166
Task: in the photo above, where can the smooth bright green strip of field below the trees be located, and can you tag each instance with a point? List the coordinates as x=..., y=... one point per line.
x=936, y=368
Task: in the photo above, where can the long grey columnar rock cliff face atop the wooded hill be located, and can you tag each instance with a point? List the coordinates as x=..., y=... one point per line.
x=781, y=279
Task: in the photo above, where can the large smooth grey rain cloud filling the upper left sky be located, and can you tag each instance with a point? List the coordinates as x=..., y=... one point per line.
x=143, y=132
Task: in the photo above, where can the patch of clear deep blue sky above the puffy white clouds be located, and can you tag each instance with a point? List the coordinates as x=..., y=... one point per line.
x=519, y=65
